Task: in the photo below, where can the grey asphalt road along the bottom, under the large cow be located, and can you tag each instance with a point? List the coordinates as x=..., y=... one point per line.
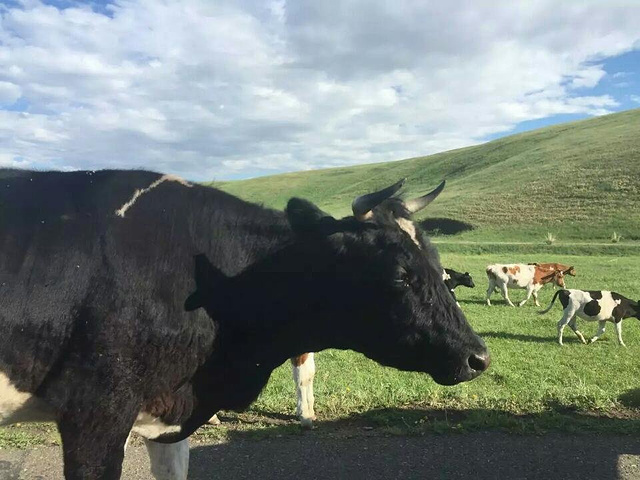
x=479, y=456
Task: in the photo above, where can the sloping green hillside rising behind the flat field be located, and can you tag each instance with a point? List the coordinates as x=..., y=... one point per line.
x=579, y=181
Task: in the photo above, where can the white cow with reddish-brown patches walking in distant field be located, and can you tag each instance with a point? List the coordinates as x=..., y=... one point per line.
x=519, y=275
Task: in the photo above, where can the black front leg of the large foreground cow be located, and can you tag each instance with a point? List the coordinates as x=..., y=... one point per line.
x=94, y=436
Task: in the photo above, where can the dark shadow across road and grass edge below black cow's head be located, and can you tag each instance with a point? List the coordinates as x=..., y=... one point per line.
x=429, y=443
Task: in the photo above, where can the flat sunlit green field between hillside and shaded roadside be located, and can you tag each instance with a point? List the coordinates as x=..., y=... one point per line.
x=532, y=381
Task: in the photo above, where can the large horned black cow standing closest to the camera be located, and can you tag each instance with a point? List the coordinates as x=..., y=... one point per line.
x=95, y=268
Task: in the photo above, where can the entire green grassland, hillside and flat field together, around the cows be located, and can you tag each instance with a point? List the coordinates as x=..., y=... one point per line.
x=579, y=182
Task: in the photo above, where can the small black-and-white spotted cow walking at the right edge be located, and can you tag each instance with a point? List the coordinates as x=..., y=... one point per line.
x=593, y=305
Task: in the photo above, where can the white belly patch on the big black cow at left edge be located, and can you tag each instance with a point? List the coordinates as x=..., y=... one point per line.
x=17, y=406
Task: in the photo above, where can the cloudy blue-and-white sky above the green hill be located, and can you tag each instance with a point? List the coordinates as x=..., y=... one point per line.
x=237, y=89
